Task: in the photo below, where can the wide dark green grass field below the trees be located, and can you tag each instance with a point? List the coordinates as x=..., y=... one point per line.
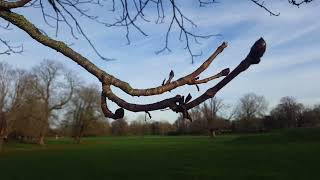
x=286, y=154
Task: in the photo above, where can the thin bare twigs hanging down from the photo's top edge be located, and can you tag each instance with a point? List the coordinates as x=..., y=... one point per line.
x=55, y=12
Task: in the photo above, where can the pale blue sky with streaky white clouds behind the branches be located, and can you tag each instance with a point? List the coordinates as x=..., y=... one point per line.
x=290, y=66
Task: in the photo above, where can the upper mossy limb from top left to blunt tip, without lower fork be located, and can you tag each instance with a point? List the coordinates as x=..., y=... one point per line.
x=104, y=77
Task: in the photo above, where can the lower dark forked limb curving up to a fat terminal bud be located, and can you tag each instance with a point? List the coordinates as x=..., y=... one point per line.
x=177, y=103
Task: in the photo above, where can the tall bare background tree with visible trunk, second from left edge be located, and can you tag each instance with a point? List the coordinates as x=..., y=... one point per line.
x=54, y=86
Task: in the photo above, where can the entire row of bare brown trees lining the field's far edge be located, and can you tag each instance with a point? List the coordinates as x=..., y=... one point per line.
x=48, y=100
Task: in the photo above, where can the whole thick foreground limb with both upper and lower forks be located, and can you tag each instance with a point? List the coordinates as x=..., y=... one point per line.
x=176, y=103
